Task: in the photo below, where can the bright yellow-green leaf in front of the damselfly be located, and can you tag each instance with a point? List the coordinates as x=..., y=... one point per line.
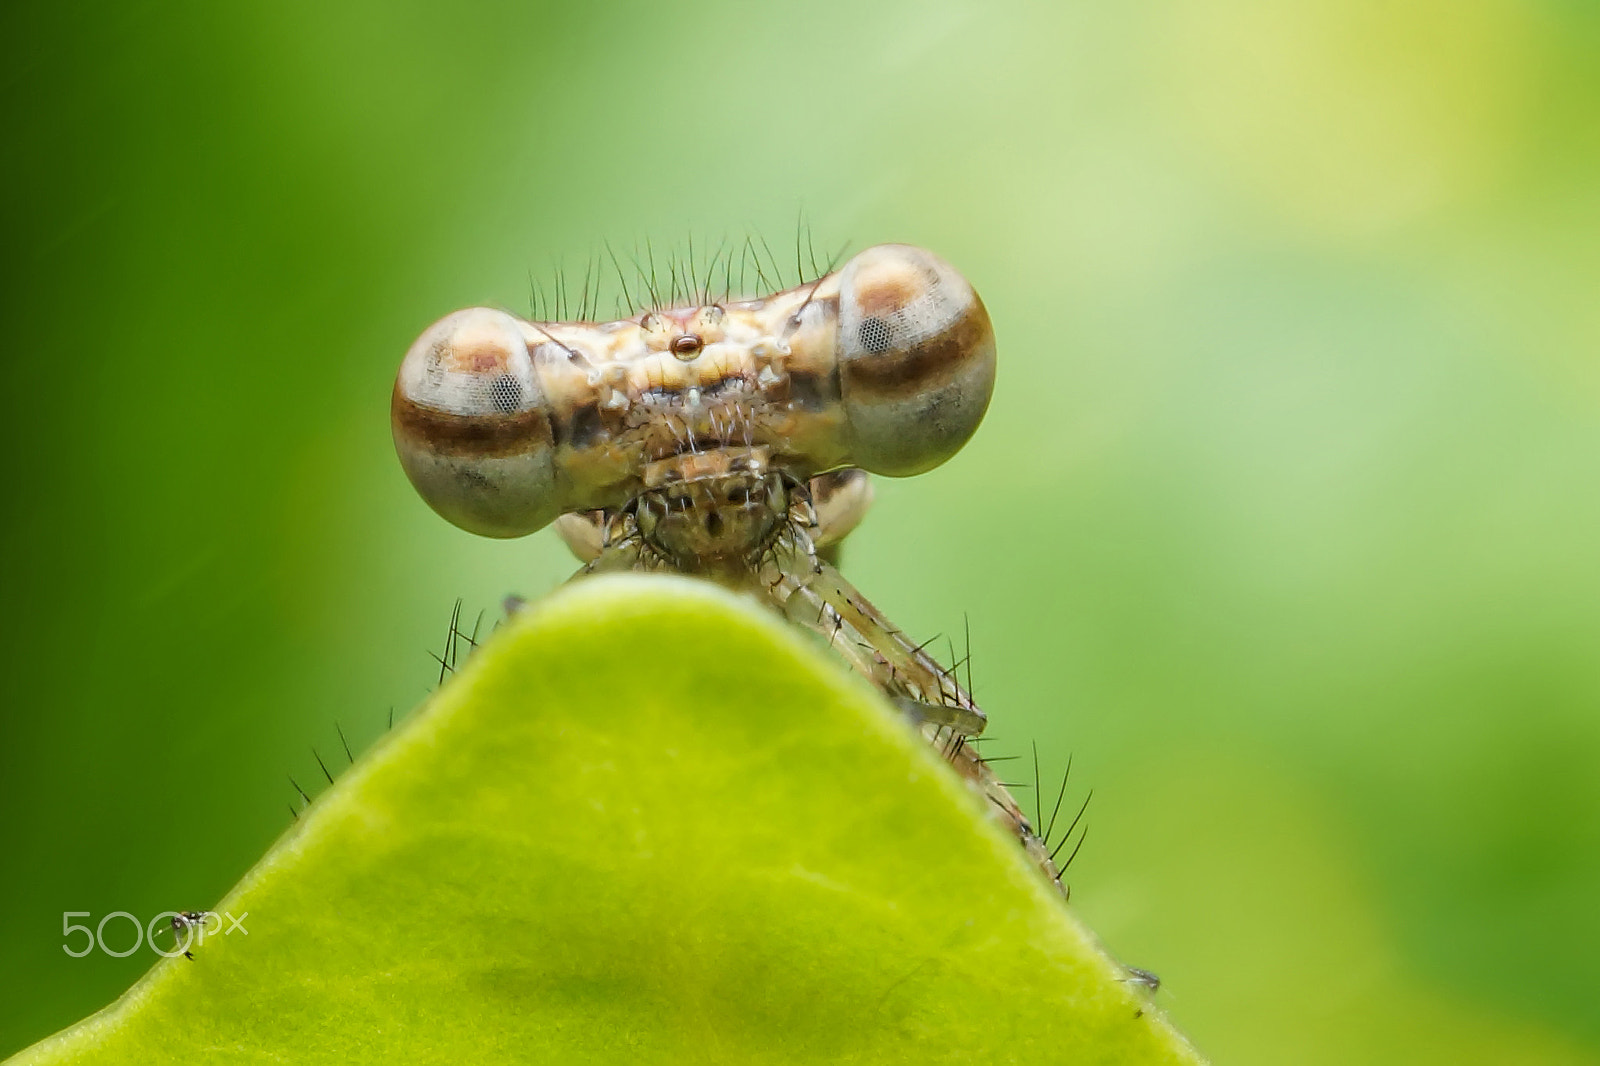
x=646, y=824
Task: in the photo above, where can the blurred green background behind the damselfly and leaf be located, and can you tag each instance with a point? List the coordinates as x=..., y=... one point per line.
x=1284, y=521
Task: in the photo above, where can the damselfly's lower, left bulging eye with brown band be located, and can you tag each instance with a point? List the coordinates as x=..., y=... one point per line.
x=473, y=427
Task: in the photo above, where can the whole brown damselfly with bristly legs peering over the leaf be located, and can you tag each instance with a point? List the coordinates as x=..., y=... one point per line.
x=729, y=441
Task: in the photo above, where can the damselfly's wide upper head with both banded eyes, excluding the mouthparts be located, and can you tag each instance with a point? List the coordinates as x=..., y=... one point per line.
x=503, y=425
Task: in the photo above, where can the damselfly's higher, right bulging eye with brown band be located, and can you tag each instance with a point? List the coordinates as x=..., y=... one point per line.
x=916, y=359
